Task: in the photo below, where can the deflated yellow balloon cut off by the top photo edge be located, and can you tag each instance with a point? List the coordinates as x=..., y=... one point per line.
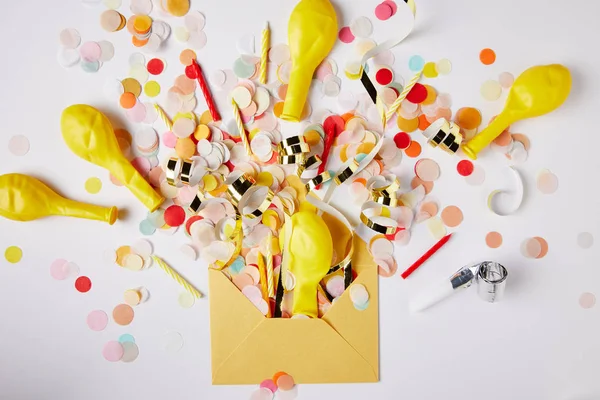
x=312, y=32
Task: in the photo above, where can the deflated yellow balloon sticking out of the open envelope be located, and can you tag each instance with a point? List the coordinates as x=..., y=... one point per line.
x=310, y=251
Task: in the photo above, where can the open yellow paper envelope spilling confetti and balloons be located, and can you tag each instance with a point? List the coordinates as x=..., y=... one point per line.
x=248, y=348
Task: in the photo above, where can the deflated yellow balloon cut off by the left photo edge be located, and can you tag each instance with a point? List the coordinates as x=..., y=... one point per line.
x=23, y=198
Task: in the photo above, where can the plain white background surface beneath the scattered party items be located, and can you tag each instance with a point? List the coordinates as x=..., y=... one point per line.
x=536, y=344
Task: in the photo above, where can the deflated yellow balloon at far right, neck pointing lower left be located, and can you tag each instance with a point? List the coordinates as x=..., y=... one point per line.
x=537, y=91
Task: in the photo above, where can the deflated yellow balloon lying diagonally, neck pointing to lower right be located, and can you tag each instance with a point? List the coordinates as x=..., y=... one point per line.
x=89, y=134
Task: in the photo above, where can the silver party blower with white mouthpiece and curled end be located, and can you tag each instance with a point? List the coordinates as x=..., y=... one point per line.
x=489, y=276
